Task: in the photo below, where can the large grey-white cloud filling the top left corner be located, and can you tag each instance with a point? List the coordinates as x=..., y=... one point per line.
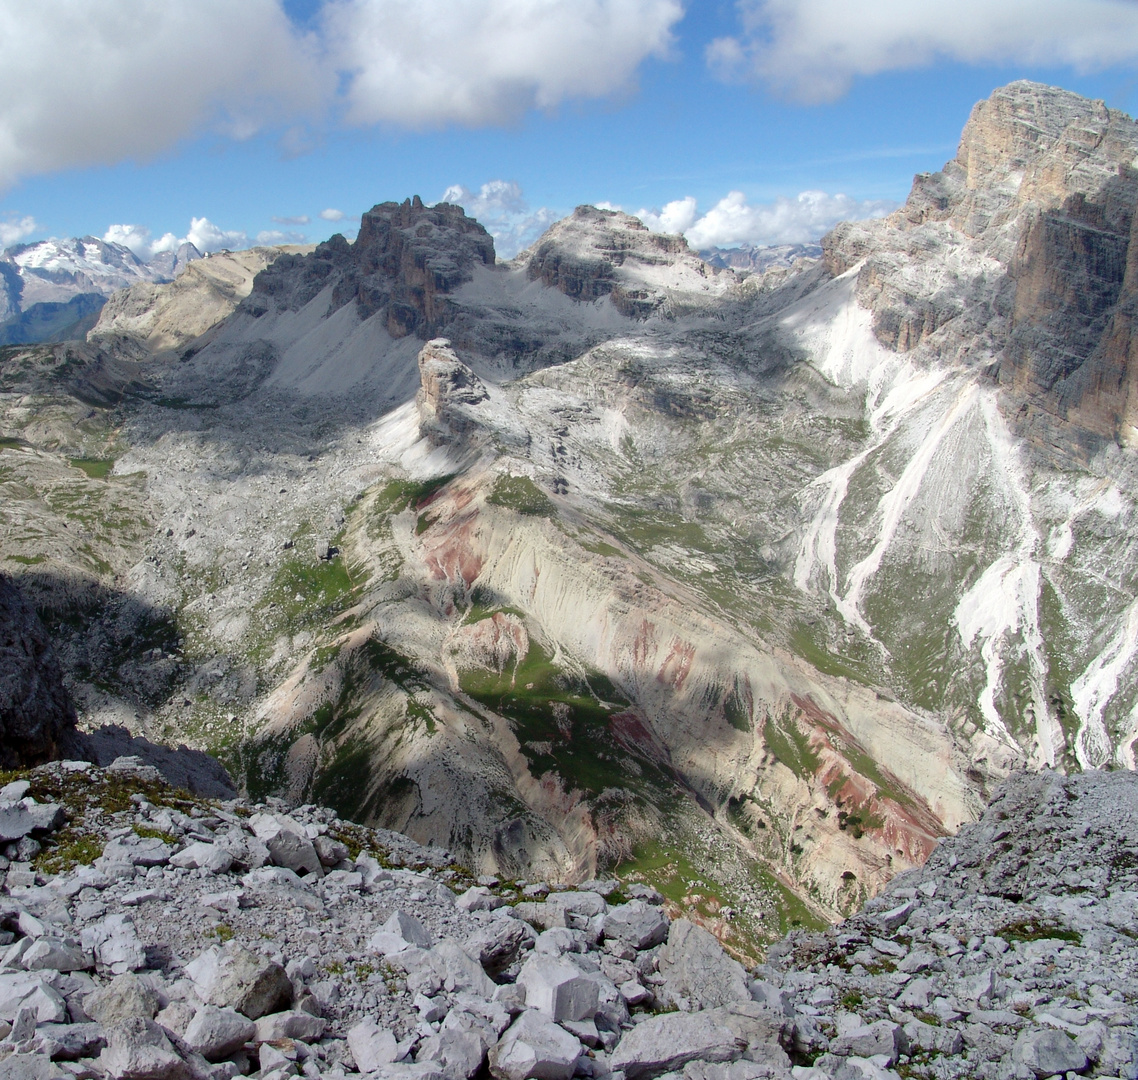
x=87, y=84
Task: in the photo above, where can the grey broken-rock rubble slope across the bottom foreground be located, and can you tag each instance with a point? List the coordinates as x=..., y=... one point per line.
x=154, y=935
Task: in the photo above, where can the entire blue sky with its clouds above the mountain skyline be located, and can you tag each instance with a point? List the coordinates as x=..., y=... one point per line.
x=649, y=103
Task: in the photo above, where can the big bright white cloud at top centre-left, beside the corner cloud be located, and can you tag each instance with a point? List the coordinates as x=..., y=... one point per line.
x=485, y=62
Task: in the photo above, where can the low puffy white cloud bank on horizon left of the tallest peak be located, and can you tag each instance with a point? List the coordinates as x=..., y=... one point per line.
x=733, y=221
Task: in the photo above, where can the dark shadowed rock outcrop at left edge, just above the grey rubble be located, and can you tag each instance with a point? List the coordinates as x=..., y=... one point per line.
x=36, y=711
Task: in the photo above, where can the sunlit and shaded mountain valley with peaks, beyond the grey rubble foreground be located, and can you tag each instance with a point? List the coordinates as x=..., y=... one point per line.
x=751, y=583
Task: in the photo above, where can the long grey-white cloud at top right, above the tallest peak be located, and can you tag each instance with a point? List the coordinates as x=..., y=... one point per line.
x=813, y=50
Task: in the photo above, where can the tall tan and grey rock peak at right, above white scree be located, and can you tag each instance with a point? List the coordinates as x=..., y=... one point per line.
x=1036, y=215
